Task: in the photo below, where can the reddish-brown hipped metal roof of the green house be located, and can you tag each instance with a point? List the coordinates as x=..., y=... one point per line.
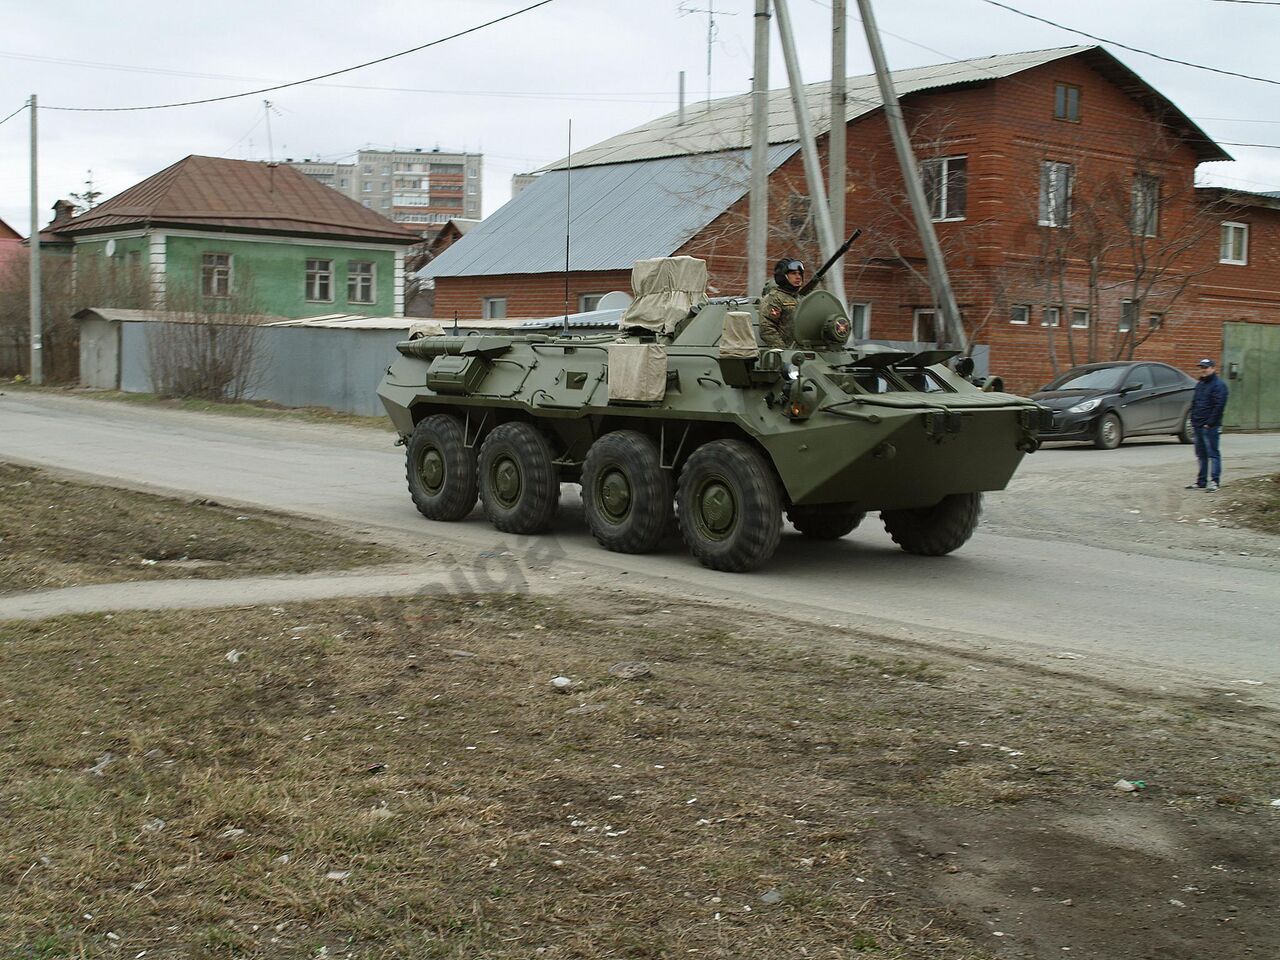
x=208, y=193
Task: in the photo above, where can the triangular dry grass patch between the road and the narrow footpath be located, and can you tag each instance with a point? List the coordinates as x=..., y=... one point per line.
x=57, y=533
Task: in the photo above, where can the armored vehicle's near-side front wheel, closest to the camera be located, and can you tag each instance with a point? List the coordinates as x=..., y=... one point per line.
x=730, y=509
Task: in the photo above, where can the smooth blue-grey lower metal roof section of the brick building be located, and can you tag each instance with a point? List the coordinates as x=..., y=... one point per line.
x=621, y=214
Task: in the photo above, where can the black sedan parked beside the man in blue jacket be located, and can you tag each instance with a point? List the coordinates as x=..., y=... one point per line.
x=1109, y=403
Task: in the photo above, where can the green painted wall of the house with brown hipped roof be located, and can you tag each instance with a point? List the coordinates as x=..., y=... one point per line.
x=271, y=277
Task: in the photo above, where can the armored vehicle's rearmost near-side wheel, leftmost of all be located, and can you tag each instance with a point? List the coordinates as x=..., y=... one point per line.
x=441, y=470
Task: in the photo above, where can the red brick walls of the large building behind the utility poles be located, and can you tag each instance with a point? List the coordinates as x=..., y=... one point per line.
x=1005, y=129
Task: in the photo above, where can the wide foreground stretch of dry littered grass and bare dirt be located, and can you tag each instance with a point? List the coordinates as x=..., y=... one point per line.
x=401, y=779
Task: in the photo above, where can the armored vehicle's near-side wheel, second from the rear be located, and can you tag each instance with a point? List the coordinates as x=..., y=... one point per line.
x=519, y=482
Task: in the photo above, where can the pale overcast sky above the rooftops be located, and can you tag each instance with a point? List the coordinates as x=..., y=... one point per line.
x=510, y=90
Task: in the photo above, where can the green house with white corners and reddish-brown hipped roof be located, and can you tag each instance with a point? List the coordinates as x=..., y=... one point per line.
x=237, y=236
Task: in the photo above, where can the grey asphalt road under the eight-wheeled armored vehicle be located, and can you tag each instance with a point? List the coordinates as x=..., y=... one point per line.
x=1027, y=588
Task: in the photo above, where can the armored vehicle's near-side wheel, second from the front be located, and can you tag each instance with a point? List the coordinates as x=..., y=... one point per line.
x=627, y=495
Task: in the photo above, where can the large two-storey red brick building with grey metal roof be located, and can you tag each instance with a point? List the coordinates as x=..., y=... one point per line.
x=1062, y=185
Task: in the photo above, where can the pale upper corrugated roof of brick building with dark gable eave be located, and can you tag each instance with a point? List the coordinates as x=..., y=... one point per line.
x=726, y=125
